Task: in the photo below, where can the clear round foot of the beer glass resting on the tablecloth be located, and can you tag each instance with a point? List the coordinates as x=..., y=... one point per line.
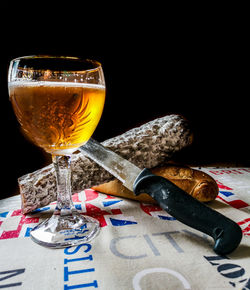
x=65, y=231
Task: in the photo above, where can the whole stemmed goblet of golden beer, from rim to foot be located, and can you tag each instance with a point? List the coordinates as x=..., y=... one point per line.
x=58, y=102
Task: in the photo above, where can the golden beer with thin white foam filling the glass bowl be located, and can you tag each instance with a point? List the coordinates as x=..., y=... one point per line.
x=57, y=116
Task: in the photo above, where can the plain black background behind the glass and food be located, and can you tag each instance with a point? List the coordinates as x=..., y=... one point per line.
x=153, y=66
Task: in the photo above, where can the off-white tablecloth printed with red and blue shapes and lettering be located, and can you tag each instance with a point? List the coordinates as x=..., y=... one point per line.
x=139, y=245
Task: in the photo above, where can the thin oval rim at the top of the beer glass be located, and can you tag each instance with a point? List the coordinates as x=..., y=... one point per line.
x=96, y=64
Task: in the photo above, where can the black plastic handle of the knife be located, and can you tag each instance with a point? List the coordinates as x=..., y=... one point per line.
x=188, y=210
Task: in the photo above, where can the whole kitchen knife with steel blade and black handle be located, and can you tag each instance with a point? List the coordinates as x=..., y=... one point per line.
x=179, y=204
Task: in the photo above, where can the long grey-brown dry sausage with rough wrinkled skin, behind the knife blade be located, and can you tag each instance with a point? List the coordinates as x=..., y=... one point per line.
x=146, y=146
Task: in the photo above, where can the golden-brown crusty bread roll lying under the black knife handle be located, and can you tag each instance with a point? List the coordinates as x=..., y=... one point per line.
x=195, y=182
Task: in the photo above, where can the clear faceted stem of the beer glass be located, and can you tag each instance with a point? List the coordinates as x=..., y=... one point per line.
x=64, y=205
